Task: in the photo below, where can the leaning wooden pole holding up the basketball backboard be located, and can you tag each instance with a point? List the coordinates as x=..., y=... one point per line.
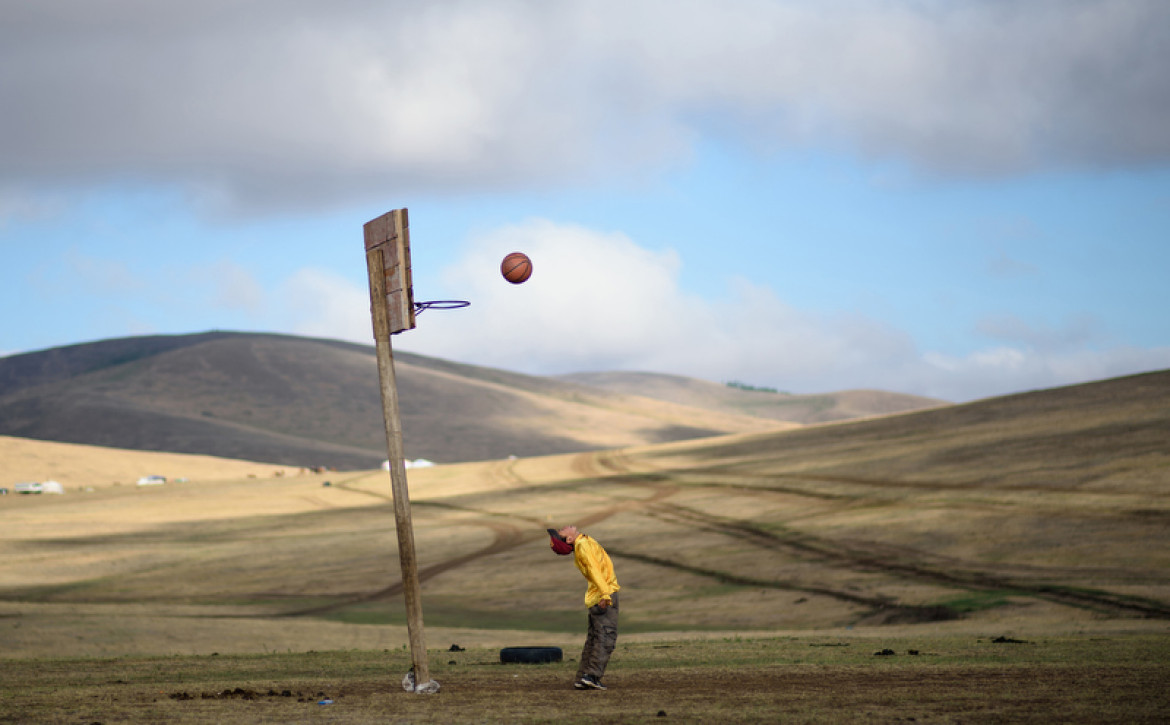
x=383, y=328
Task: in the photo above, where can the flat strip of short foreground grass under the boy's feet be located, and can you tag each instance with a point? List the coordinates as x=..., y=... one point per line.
x=790, y=680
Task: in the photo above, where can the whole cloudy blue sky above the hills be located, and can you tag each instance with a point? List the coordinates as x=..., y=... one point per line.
x=948, y=199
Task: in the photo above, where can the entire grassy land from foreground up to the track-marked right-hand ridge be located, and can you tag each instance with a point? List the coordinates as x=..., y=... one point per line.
x=760, y=576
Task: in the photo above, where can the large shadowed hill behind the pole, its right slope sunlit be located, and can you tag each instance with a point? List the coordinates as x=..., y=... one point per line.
x=311, y=403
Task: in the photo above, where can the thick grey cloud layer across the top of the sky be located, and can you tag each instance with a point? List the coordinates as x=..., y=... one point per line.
x=263, y=103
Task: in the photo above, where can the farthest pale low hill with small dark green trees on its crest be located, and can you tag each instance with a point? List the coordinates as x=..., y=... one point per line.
x=761, y=404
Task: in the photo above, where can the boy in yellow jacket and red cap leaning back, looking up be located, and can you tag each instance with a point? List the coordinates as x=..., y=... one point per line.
x=601, y=598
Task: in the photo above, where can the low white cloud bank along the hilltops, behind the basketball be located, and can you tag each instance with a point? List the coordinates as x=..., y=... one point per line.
x=598, y=301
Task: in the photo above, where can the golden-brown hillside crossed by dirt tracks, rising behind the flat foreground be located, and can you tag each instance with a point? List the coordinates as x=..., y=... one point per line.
x=1030, y=516
